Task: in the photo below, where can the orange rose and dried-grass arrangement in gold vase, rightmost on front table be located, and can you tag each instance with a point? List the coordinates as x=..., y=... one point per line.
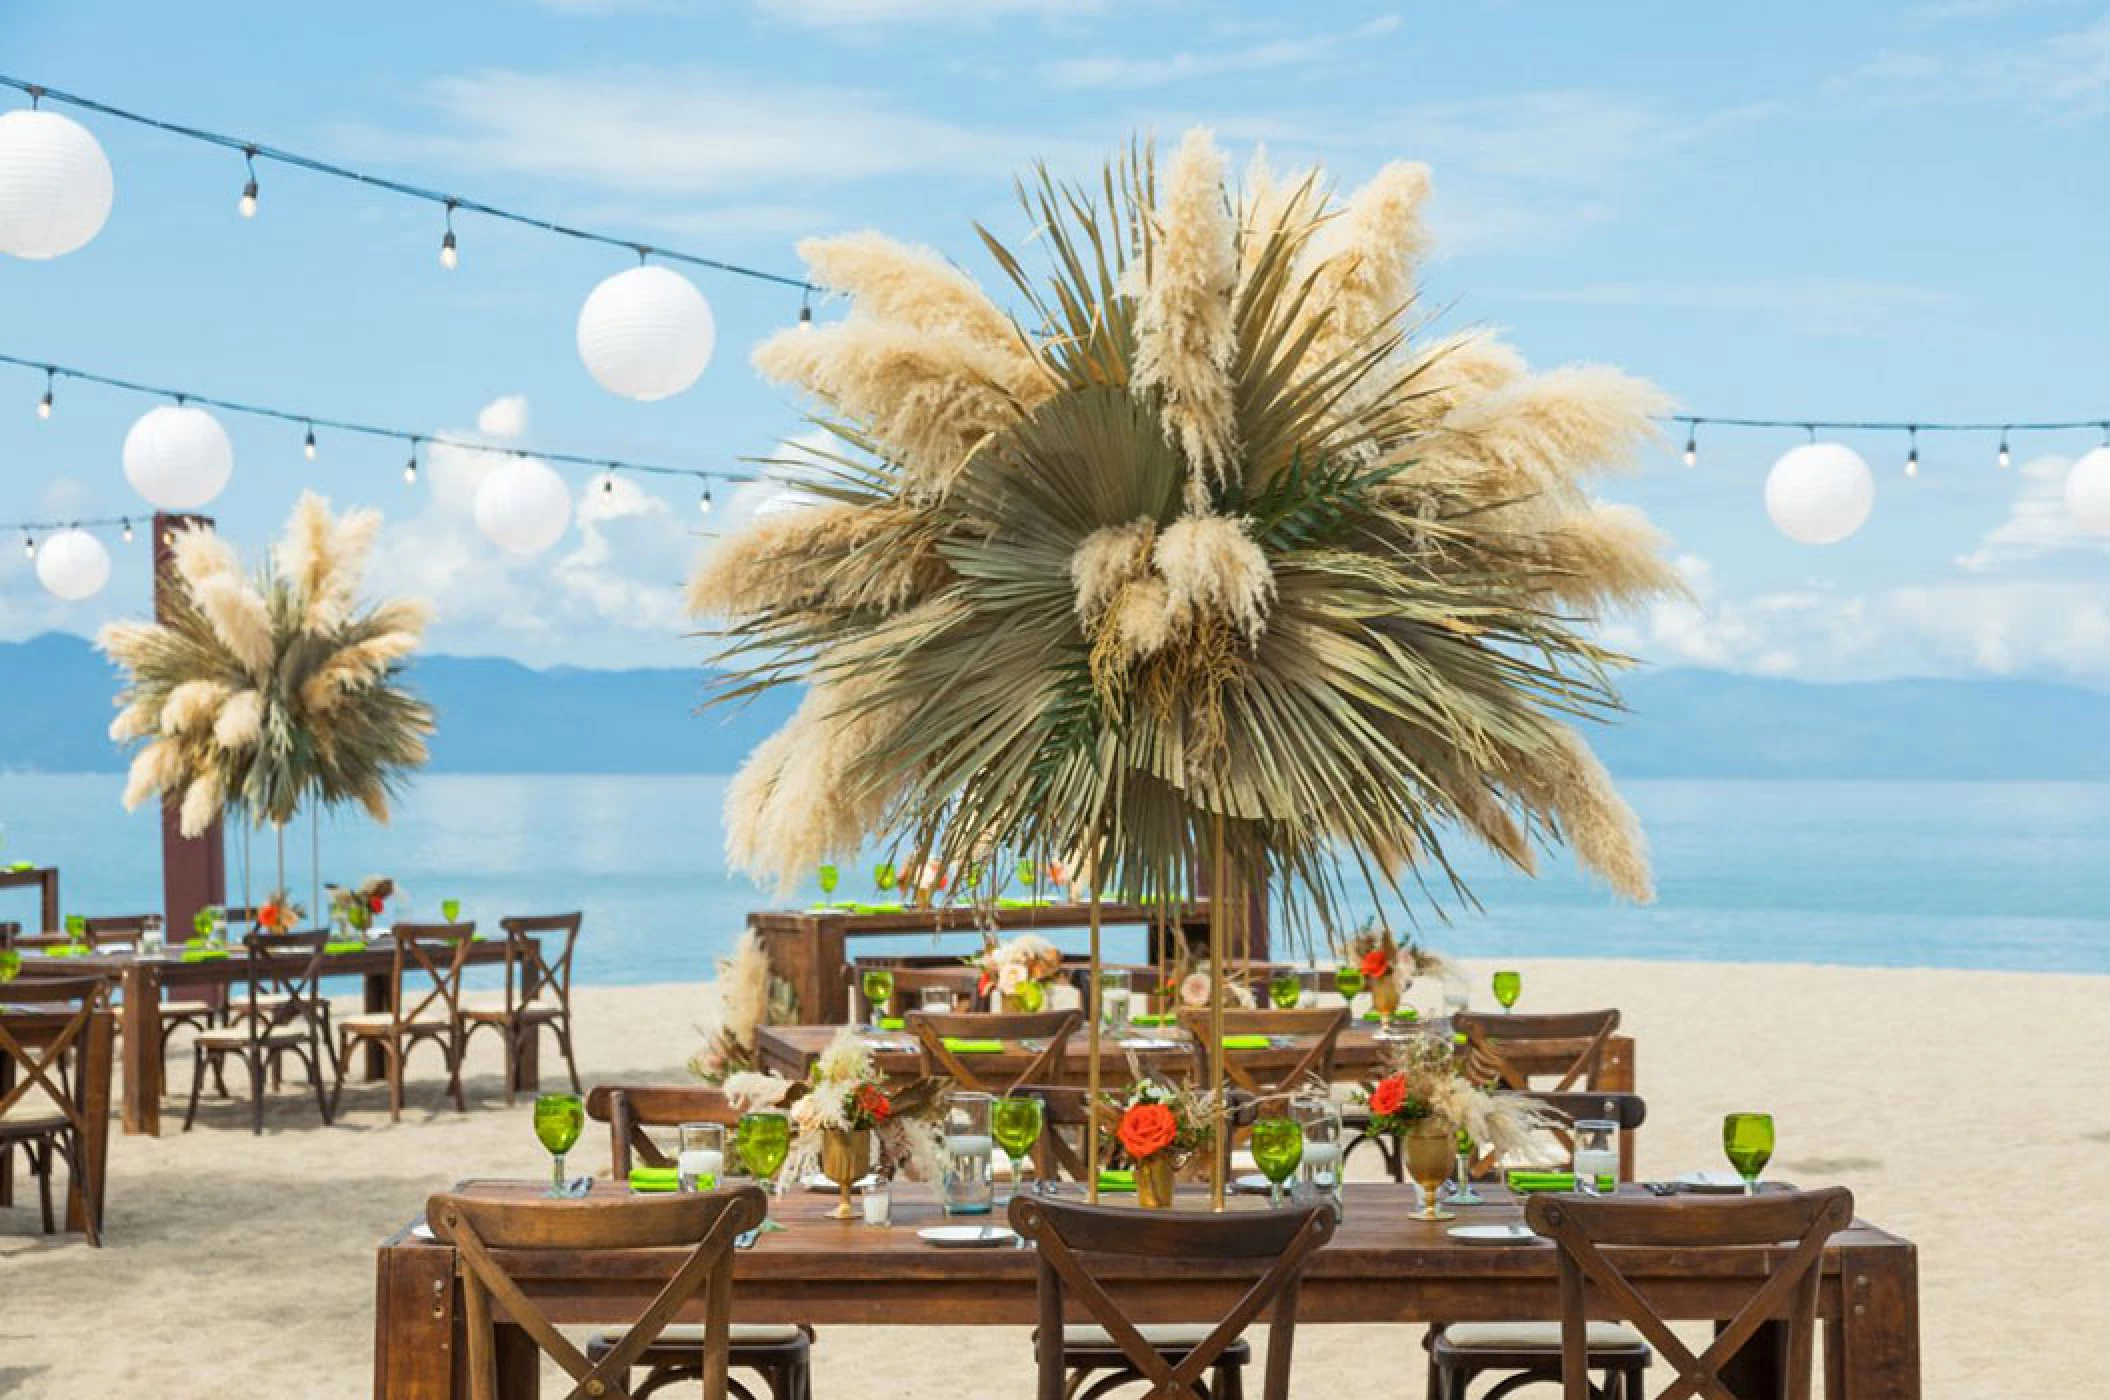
x=1425, y=1100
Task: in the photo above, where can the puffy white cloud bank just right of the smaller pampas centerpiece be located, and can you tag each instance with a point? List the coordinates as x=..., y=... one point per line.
x=607, y=594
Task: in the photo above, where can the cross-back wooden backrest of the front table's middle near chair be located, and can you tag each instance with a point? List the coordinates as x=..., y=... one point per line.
x=1075, y=1239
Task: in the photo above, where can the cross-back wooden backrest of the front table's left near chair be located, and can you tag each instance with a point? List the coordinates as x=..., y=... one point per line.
x=708, y=1224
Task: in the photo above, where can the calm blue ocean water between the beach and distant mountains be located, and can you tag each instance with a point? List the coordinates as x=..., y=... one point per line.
x=1875, y=874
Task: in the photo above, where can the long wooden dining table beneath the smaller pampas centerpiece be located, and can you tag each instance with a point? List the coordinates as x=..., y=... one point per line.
x=145, y=975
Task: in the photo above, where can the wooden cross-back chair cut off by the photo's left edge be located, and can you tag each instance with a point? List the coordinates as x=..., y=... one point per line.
x=43, y=1108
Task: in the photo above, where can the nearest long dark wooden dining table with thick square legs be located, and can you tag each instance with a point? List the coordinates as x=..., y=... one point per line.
x=1381, y=1268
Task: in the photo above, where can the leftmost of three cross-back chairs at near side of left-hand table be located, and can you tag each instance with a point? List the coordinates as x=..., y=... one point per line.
x=280, y=1017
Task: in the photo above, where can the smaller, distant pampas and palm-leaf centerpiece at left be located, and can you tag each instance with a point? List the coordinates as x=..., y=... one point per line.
x=275, y=691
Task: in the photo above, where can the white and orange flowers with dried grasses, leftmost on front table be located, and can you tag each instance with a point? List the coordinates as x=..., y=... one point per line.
x=845, y=1093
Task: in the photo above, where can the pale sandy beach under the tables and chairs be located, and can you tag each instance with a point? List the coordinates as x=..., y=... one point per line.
x=1963, y=1108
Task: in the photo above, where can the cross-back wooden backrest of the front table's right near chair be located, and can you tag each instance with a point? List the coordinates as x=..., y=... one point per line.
x=1592, y=1234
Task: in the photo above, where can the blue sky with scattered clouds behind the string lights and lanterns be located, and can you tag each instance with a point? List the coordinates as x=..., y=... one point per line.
x=1871, y=212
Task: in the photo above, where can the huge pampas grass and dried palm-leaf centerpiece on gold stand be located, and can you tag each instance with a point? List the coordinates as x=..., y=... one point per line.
x=1206, y=556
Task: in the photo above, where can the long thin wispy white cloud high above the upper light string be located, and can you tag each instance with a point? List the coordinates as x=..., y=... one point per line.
x=689, y=132
